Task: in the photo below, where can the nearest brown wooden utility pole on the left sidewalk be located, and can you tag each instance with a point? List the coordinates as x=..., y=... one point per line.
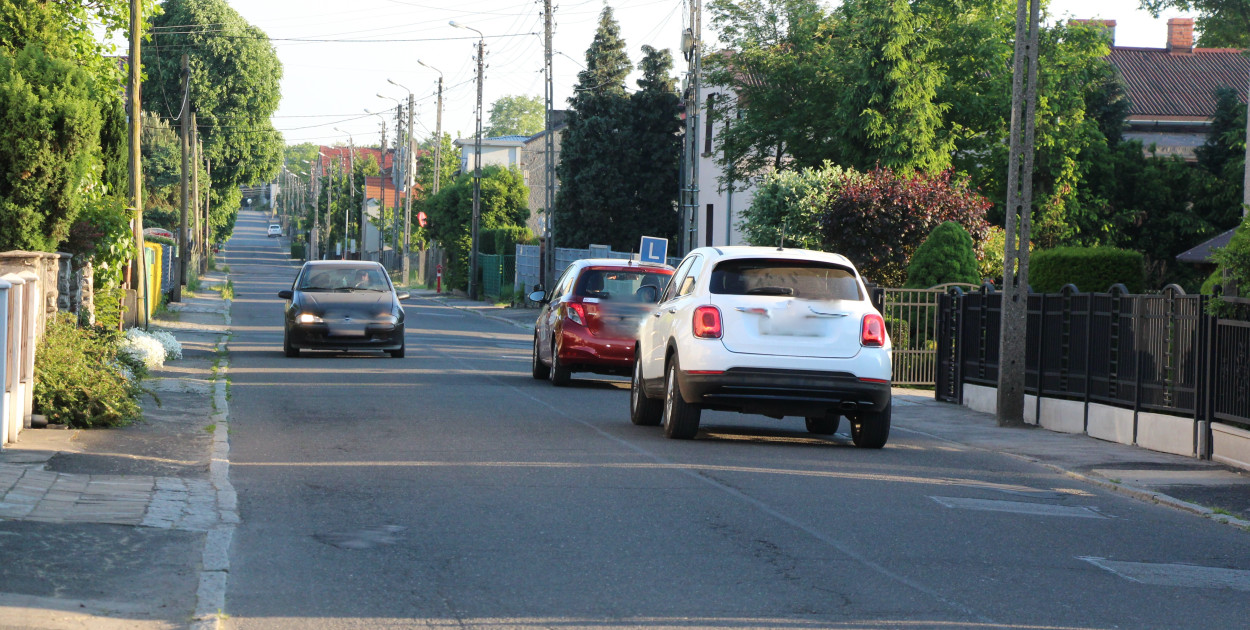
x=139, y=269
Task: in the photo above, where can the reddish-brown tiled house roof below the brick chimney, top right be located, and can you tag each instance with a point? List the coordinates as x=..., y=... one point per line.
x=1179, y=86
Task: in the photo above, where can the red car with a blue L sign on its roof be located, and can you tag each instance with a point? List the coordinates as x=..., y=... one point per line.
x=588, y=323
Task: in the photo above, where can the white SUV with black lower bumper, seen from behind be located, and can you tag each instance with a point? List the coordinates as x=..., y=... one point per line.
x=764, y=331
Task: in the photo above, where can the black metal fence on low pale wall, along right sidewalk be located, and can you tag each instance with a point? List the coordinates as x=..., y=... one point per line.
x=1149, y=353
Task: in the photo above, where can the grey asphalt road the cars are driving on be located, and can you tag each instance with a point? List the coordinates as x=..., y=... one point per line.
x=451, y=489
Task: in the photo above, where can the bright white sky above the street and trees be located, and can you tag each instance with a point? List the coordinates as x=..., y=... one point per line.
x=328, y=86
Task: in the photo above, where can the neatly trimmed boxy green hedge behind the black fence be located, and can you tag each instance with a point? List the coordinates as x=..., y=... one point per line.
x=1091, y=269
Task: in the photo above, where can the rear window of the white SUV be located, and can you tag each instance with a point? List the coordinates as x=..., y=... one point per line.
x=803, y=279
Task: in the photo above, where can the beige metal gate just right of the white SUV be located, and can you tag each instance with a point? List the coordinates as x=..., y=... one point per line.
x=912, y=318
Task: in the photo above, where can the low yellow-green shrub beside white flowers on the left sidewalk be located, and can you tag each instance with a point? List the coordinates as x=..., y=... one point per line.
x=81, y=378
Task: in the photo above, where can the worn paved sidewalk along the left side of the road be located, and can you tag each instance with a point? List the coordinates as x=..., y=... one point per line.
x=109, y=528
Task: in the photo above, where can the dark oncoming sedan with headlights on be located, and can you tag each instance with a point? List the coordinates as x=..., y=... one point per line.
x=343, y=306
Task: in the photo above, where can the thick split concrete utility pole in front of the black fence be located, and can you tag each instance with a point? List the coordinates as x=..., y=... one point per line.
x=1019, y=218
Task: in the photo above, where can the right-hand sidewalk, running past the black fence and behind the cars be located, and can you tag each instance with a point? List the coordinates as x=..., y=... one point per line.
x=1204, y=488
